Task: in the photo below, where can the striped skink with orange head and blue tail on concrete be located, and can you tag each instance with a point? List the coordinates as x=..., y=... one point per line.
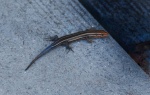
x=66, y=40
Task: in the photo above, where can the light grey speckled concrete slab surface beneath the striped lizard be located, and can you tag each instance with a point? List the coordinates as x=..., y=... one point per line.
x=100, y=68
